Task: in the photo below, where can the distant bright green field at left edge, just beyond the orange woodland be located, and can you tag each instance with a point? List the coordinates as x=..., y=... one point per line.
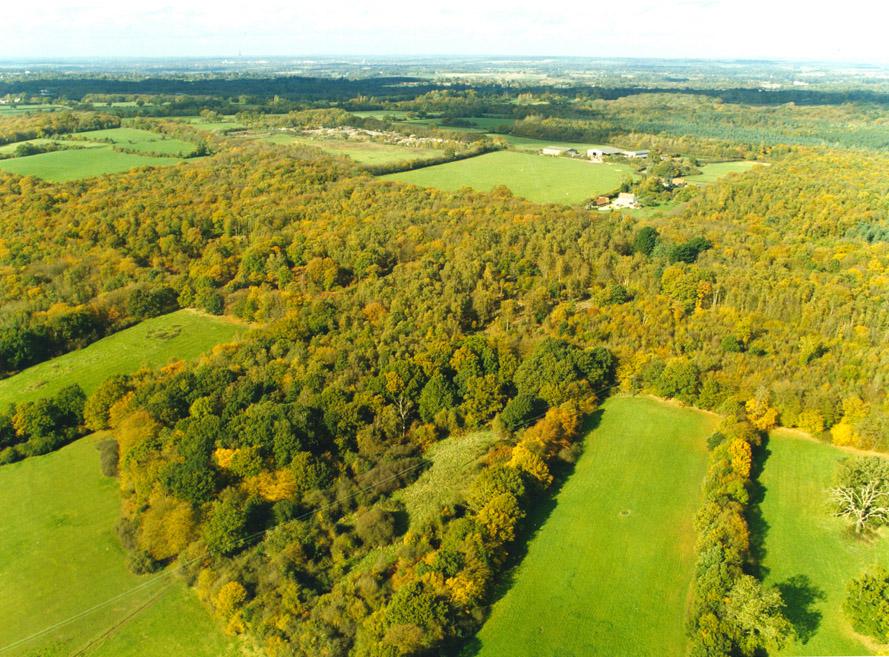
x=60, y=166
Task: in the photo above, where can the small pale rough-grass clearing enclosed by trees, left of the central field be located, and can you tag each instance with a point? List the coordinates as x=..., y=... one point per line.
x=454, y=460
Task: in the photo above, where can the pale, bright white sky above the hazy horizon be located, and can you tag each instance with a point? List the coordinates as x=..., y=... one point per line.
x=850, y=30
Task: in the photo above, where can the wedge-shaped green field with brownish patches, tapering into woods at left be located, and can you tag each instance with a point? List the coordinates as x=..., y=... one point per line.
x=182, y=334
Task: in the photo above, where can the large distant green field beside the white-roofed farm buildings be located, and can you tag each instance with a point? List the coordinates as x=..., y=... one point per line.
x=535, y=177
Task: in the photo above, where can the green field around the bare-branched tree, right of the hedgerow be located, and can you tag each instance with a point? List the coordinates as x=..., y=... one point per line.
x=808, y=553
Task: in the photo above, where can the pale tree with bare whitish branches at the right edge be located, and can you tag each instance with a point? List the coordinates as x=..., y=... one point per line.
x=862, y=493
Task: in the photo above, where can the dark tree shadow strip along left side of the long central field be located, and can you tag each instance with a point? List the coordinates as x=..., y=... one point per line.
x=538, y=512
